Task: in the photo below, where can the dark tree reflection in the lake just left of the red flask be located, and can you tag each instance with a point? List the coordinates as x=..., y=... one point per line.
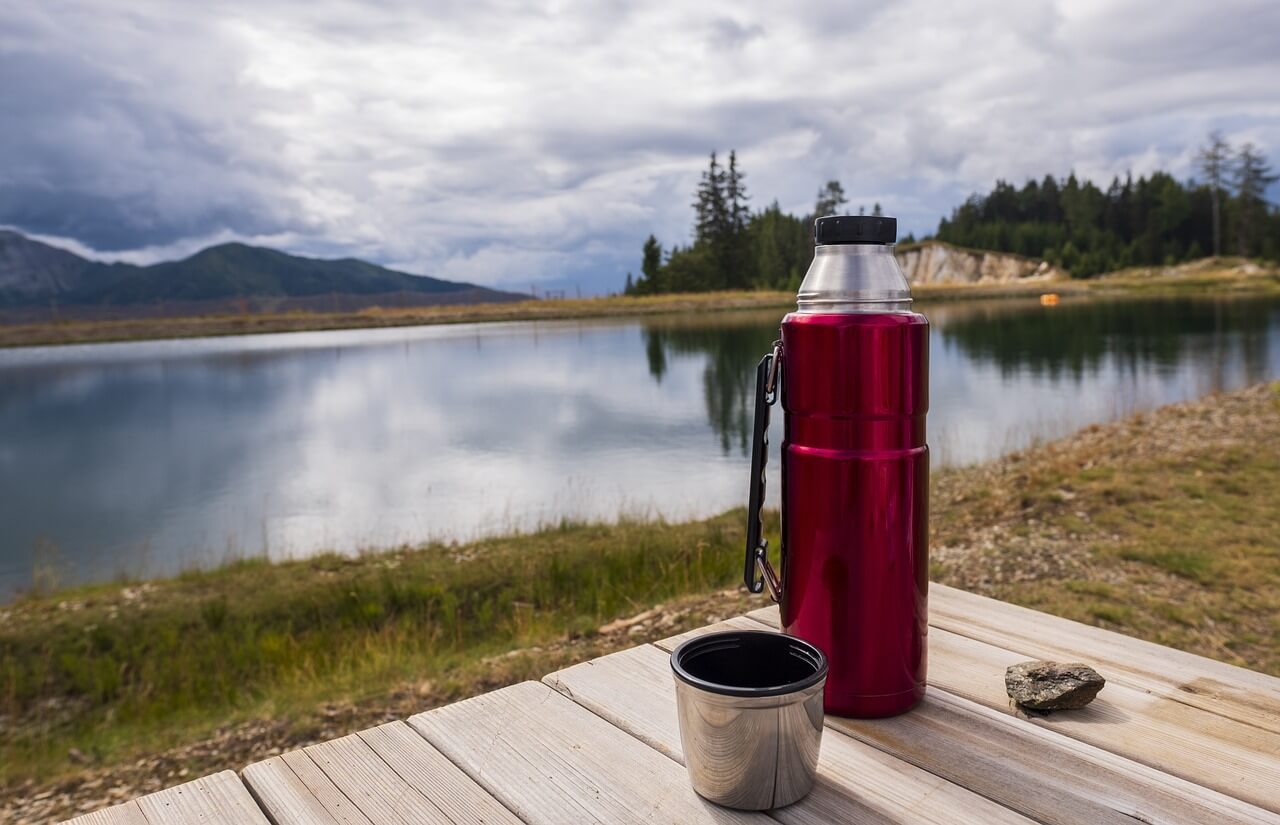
x=732, y=350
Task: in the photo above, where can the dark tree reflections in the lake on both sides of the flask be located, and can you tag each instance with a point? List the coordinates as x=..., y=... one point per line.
x=1063, y=343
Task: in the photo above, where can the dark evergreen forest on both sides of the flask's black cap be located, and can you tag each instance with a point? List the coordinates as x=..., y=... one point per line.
x=1076, y=224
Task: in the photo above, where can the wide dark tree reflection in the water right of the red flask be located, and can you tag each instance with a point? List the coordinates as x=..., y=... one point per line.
x=1076, y=337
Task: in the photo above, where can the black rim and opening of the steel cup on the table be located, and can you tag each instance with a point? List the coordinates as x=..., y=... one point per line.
x=749, y=664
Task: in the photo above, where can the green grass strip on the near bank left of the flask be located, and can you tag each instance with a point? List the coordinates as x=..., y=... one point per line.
x=116, y=671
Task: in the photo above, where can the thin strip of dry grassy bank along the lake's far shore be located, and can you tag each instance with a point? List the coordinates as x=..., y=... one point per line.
x=1210, y=277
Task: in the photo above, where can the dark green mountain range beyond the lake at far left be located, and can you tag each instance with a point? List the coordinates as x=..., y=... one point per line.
x=38, y=279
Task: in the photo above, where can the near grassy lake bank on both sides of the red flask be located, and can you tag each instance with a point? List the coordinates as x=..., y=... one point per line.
x=1164, y=526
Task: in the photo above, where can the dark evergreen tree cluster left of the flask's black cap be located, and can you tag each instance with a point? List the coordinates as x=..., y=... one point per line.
x=735, y=247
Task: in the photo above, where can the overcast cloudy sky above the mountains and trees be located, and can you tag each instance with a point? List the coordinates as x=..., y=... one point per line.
x=510, y=144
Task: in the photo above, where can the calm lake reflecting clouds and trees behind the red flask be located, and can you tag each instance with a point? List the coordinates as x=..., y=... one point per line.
x=153, y=457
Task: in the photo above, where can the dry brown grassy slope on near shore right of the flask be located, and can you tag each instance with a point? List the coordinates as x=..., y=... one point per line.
x=1165, y=526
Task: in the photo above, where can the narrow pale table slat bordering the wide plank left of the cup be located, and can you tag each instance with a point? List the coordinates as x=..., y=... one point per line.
x=436, y=777
